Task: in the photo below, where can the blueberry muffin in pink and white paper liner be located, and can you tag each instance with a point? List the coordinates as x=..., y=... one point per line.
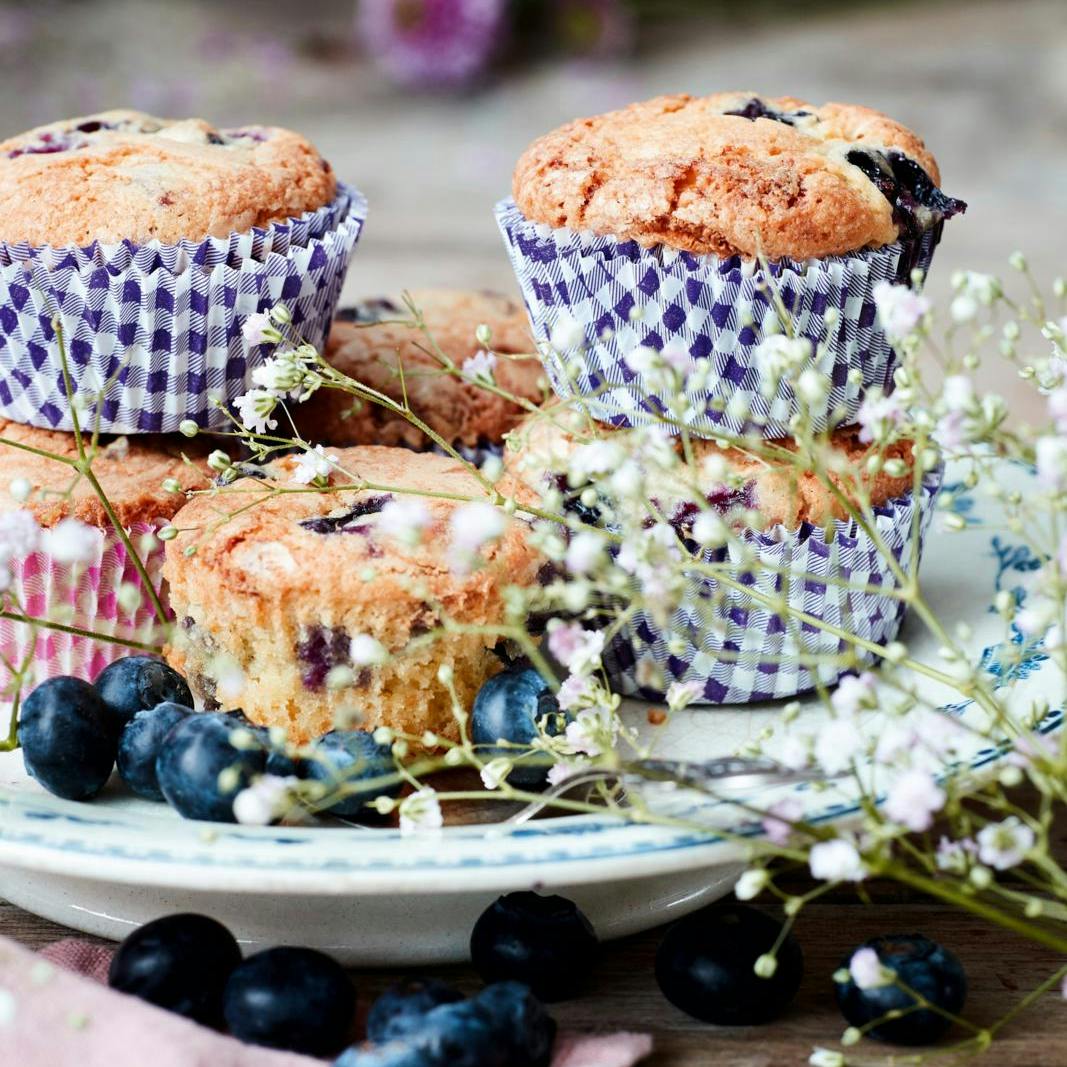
x=62, y=561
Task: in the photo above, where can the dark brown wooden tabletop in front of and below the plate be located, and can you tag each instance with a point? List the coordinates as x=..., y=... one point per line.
x=1001, y=969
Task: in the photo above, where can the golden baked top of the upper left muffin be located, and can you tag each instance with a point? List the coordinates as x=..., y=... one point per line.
x=124, y=176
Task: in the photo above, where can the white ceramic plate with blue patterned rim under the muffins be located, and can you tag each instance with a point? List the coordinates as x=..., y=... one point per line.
x=372, y=897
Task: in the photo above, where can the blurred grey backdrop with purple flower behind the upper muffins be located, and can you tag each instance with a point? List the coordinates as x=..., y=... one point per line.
x=426, y=104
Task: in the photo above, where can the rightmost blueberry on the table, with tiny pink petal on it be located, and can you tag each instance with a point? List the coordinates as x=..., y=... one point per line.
x=921, y=965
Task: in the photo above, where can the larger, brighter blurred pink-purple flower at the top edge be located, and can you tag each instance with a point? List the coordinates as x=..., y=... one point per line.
x=433, y=44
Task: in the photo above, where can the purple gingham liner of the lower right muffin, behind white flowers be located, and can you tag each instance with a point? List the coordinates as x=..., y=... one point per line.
x=739, y=651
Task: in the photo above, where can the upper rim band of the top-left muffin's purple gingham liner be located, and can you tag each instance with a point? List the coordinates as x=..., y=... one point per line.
x=278, y=238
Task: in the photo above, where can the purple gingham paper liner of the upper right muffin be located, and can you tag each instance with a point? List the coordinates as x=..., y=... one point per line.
x=622, y=296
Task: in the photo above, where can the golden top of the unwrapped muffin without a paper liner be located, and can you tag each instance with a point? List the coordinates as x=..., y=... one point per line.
x=306, y=549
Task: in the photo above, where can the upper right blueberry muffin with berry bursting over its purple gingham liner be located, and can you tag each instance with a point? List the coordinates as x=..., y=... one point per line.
x=702, y=228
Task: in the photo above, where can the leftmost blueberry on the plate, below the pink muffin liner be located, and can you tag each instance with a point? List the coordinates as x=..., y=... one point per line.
x=69, y=739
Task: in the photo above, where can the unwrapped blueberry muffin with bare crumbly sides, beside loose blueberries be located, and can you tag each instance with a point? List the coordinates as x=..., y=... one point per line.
x=305, y=610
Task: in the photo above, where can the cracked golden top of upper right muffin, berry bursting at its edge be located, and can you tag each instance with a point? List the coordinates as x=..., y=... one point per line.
x=736, y=174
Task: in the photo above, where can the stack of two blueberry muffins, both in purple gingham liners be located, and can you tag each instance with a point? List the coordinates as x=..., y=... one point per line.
x=695, y=226
